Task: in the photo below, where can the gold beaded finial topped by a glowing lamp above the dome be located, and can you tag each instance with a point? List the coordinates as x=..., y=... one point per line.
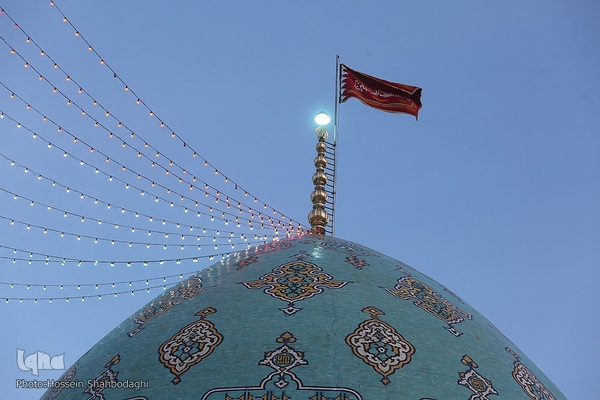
x=318, y=217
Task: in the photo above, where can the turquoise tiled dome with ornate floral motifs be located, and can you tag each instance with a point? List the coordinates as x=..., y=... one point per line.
x=311, y=317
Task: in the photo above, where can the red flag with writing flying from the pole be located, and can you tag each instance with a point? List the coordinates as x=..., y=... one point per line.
x=380, y=94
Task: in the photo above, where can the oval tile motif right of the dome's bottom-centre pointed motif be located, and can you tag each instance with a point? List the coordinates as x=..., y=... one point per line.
x=380, y=345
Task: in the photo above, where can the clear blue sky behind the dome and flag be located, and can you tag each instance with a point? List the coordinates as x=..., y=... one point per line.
x=494, y=192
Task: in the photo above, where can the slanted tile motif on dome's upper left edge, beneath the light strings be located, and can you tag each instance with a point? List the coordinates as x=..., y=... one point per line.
x=185, y=290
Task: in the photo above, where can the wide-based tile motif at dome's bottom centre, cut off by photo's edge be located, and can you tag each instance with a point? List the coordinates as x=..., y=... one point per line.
x=282, y=383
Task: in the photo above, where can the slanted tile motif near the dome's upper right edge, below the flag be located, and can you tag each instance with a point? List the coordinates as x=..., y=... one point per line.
x=424, y=297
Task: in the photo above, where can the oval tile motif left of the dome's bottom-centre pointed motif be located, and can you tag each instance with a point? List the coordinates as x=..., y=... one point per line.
x=192, y=344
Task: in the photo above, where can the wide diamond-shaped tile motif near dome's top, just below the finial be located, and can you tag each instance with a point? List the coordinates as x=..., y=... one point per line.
x=293, y=282
